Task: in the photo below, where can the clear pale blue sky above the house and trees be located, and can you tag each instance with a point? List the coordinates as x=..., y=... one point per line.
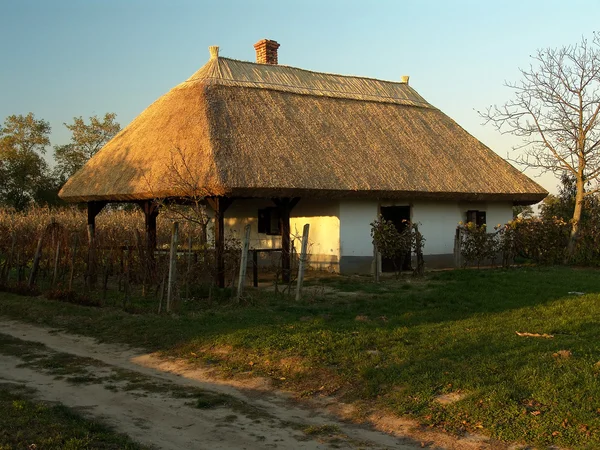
x=66, y=58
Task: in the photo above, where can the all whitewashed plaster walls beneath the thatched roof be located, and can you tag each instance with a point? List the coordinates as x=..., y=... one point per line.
x=343, y=228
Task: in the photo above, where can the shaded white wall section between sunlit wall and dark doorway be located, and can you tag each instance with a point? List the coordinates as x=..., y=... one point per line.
x=355, y=228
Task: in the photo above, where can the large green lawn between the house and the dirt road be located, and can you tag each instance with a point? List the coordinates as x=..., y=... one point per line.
x=398, y=346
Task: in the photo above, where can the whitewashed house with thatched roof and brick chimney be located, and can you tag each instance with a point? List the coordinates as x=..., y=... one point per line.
x=262, y=141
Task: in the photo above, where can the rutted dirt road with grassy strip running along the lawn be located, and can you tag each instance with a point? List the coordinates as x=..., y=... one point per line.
x=167, y=404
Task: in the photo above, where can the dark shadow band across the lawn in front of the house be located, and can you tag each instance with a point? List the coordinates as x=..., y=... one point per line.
x=442, y=297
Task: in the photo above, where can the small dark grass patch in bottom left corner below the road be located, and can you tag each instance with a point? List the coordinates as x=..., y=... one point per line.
x=25, y=422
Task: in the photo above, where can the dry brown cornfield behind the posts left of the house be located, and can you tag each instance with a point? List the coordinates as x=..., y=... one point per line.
x=122, y=262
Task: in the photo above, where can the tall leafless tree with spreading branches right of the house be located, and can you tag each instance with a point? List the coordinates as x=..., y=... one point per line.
x=555, y=111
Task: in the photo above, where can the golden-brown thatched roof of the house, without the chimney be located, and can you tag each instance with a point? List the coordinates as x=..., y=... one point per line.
x=255, y=130
